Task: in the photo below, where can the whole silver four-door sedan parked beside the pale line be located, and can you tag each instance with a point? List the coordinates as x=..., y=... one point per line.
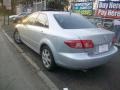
x=65, y=39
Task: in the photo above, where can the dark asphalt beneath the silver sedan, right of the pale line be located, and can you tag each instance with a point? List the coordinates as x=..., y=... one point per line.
x=106, y=77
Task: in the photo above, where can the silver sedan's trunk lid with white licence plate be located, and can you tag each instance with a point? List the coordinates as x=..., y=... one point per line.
x=102, y=39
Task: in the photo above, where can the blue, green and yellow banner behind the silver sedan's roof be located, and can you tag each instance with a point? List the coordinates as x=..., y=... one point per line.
x=84, y=8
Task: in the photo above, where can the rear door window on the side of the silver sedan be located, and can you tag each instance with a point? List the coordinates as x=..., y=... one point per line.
x=42, y=20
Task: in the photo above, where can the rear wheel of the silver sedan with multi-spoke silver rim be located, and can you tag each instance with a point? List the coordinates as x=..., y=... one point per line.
x=47, y=58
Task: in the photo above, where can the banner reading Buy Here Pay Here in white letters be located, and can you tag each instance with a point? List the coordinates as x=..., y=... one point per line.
x=109, y=9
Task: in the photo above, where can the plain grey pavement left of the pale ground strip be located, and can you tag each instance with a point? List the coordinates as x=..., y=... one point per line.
x=15, y=72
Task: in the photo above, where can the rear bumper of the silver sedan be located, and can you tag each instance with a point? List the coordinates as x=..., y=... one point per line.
x=83, y=60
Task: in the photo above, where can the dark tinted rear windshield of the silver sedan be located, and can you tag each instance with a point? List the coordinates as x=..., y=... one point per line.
x=73, y=21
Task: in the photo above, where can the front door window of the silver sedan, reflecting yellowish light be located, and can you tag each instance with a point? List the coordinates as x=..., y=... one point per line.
x=31, y=19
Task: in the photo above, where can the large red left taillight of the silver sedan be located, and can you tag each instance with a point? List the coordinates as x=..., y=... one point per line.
x=79, y=43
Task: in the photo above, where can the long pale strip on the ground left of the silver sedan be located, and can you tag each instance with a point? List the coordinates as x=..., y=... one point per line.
x=41, y=74
